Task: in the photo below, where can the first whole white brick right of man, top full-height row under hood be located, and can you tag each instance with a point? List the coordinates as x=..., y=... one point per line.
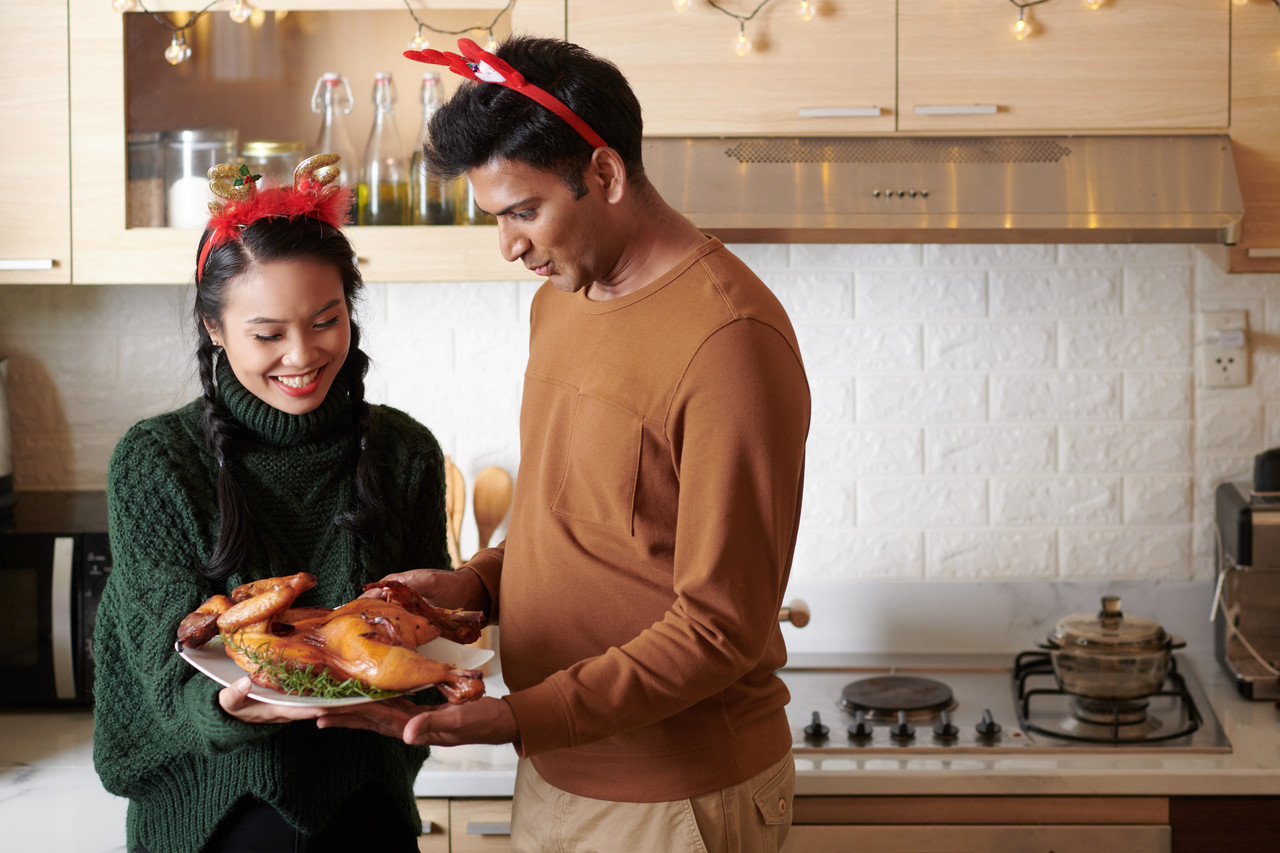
x=932, y=294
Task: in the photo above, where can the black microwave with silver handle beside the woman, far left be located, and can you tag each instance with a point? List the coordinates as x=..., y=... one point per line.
x=54, y=563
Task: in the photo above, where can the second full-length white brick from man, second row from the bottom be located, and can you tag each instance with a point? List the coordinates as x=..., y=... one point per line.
x=1067, y=501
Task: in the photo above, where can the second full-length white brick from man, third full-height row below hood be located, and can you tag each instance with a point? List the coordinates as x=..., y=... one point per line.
x=1055, y=396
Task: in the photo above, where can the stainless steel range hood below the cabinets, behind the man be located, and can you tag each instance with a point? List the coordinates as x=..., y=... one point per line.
x=972, y=190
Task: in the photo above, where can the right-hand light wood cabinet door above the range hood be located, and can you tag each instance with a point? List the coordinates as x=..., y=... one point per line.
x=1126, y=66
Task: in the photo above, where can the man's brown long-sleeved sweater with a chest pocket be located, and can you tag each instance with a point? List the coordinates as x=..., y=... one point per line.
x=655, y=519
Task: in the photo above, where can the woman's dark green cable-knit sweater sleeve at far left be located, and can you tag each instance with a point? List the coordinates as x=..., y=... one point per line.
x=149, y=704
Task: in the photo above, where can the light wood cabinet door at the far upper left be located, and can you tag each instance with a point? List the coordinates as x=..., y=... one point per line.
x=35, y=145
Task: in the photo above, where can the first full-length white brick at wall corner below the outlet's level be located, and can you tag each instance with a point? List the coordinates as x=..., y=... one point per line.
x=1146, y=448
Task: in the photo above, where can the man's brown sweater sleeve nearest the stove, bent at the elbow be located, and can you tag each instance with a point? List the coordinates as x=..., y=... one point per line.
x=738, y=430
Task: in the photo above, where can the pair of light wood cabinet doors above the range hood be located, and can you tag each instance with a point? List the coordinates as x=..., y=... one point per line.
x=884, y=67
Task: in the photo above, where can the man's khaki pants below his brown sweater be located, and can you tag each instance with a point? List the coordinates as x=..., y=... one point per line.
x=751, y=818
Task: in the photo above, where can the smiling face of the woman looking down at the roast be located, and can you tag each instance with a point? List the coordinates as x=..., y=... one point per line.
x=286, y=332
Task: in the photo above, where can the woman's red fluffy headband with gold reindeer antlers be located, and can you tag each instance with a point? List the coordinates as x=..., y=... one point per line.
x=312, y=195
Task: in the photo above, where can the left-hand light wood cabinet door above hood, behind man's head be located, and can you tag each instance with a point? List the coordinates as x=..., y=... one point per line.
x=829, y=76
